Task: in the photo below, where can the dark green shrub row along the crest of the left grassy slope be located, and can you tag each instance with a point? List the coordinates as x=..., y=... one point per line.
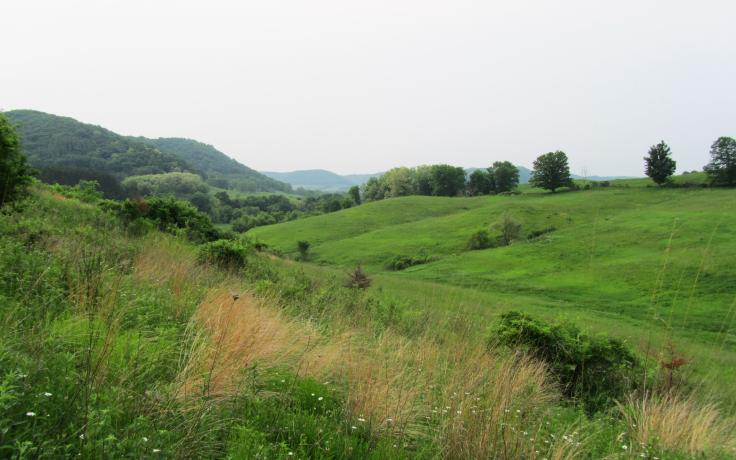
x=171, y=215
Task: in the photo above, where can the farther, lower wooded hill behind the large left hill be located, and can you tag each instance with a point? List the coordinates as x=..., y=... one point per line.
x=220, y=170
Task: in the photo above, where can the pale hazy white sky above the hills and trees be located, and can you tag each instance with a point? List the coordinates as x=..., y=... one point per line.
x=364, y=86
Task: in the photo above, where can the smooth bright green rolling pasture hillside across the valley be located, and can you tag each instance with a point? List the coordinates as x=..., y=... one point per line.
x=648, y=264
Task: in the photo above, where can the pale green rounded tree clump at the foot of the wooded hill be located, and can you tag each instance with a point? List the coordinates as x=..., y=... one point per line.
x=178, y=184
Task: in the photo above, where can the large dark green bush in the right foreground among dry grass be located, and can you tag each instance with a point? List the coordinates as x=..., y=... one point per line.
x=596, y=371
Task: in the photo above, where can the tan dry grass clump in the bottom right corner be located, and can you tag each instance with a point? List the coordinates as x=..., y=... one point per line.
x=678, y=423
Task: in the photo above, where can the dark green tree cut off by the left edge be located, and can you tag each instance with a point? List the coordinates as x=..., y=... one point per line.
x=14, y=171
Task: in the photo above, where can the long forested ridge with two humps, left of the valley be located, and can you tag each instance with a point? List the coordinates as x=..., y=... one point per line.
x=66, y=150
